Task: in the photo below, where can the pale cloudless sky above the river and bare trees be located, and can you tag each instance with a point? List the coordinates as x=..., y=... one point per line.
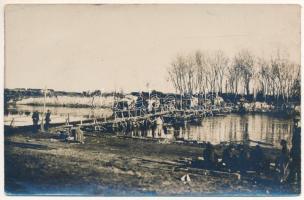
x=114, y=47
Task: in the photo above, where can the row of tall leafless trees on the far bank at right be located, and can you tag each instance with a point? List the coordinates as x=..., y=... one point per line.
x=244, y=74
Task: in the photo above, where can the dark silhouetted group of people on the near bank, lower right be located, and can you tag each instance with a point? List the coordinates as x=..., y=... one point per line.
x=241, y=158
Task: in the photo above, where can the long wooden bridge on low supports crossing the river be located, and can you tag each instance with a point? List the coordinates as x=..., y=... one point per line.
x=137, y=117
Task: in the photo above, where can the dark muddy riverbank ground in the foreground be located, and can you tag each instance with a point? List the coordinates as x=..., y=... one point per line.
x=39, y=164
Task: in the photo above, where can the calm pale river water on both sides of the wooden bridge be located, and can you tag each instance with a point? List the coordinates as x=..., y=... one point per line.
x=249, y=128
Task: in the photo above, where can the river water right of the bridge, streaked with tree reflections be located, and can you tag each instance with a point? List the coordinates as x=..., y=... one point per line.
x=247, y=129
